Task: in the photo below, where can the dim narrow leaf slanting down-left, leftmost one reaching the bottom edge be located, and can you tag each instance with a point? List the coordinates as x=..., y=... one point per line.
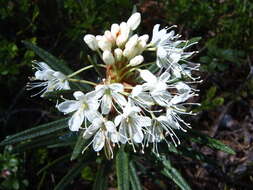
x=73, y=172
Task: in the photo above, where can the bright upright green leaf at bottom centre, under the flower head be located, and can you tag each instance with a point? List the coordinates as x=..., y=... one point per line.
x=122, y=170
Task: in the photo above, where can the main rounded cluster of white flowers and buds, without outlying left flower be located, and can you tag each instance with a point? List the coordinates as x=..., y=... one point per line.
x=133, y=104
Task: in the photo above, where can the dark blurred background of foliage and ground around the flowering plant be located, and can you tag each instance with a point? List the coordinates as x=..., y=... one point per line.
x=58, y=26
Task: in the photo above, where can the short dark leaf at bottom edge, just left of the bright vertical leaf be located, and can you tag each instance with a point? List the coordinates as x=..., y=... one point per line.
x=101, y=179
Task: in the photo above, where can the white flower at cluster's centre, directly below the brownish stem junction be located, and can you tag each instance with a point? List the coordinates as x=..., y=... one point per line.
x=108, y=93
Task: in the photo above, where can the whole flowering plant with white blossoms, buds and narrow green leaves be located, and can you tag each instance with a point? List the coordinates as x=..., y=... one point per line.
x=140, y=101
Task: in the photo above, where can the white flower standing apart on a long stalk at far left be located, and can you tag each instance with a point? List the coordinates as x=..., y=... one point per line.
x=51, y=80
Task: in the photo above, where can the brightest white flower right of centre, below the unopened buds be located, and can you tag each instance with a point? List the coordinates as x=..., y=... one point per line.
x=156, y=86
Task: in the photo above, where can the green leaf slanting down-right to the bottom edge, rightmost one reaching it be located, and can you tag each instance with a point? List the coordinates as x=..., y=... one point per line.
x=172, y=173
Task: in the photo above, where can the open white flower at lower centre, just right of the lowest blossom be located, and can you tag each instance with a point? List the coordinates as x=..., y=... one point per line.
x=131, y=124
